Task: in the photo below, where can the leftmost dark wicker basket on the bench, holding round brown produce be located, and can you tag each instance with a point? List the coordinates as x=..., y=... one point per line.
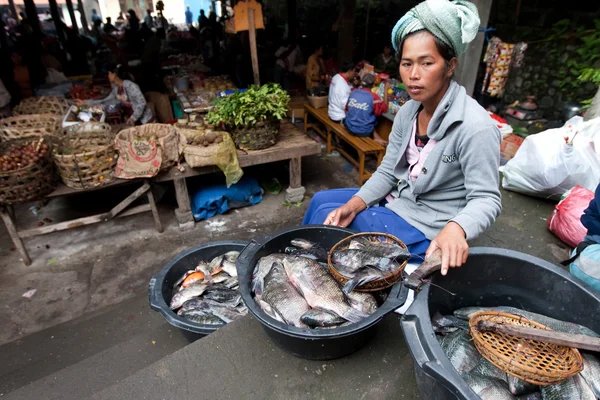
x=29, y=183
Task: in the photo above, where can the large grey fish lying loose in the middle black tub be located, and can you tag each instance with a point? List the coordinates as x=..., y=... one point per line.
x=296, y=288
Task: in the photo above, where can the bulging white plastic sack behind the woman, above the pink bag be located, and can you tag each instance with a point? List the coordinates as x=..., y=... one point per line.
x=546, y=166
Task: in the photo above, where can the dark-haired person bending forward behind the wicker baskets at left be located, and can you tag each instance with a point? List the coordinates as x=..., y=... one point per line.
x=127, y=93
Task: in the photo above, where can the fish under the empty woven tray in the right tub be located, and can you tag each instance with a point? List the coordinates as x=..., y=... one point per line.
x=491, y=383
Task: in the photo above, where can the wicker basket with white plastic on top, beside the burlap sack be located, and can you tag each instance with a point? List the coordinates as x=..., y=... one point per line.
x=85, y=155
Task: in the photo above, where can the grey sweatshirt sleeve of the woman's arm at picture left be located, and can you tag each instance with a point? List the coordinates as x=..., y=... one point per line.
x=383, y=180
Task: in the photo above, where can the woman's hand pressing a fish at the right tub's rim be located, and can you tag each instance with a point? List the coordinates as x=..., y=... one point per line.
x=453, y=244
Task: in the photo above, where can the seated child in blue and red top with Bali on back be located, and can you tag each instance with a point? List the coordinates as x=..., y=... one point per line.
x=363, y=108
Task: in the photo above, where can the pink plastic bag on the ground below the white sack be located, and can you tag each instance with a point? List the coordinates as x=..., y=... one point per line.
x=565, y=220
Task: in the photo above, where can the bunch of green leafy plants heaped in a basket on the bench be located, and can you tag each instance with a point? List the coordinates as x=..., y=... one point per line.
x=246, y=109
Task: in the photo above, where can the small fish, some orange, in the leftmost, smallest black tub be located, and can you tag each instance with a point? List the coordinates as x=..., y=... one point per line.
x=209, y=294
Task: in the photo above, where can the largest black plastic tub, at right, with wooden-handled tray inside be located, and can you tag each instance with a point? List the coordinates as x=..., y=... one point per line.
x=491, y=277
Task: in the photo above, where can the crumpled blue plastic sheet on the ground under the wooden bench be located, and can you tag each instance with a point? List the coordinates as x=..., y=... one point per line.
x=218, y=199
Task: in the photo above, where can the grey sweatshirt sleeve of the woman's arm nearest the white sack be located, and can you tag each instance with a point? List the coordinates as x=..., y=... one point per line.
x=479, y=159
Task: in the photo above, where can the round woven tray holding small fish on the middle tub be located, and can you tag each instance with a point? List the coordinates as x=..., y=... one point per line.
x=383, y=283
